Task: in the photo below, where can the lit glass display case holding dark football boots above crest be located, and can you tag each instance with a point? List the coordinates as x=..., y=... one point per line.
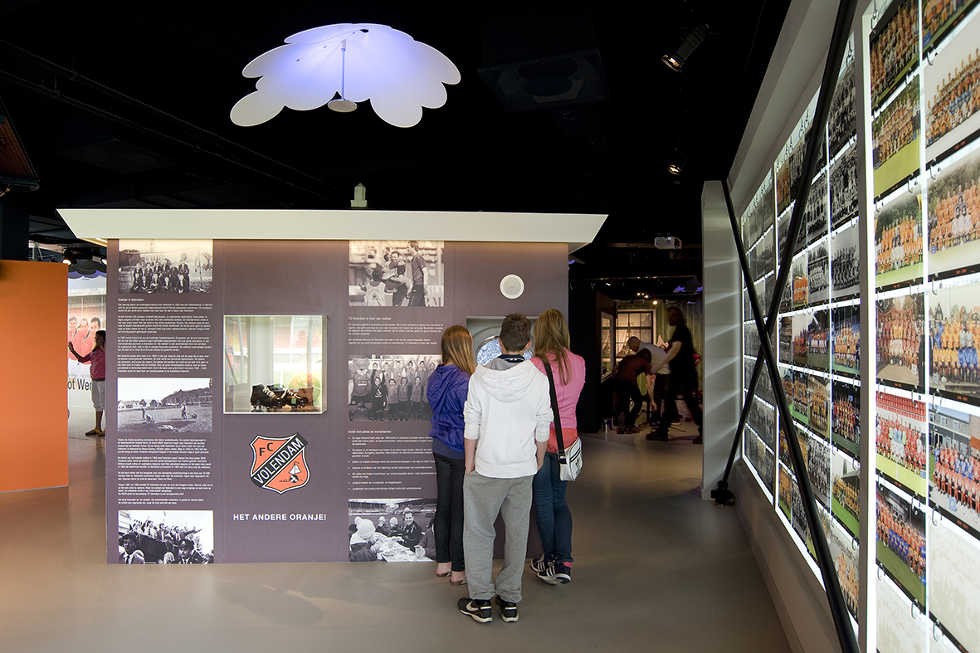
x=273, y=363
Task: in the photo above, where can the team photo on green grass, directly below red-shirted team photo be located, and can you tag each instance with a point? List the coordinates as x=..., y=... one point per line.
x=901, y=535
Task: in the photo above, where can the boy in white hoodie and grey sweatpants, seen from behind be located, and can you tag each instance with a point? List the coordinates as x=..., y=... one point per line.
x=507, y=415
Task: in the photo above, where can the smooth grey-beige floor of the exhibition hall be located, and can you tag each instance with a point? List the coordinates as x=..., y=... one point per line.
x=657, y=569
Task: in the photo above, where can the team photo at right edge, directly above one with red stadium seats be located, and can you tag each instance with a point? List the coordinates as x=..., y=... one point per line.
x=954, y=333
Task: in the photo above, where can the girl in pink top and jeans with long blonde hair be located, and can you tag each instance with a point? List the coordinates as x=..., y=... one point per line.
x=554, y=519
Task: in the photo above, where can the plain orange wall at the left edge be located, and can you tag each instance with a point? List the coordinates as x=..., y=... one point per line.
x=33, y=401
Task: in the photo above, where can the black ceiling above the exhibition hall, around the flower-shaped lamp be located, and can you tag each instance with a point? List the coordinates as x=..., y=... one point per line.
x=123, y=105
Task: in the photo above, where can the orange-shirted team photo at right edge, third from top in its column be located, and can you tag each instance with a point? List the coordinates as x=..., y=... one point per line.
x=954, y=216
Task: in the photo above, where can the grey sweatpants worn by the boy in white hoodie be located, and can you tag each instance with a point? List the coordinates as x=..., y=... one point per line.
x=483, y=499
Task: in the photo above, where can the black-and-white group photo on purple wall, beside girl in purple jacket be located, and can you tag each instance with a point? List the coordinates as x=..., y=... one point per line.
x=390, y=387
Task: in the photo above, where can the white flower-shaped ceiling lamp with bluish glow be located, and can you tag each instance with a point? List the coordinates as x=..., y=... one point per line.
x=340, y=65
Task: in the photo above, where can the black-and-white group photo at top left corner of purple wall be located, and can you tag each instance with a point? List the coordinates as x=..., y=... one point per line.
x=173, y=267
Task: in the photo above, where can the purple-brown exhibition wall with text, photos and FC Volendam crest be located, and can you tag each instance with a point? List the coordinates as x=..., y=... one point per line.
x=270, y=395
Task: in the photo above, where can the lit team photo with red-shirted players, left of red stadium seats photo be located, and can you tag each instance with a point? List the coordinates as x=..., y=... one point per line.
x=900, y=441
